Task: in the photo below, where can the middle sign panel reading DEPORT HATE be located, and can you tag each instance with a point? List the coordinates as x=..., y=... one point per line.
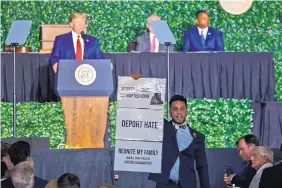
x=139, y=124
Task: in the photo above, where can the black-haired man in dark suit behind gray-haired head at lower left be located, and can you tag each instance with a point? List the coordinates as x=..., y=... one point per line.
x=20, y=152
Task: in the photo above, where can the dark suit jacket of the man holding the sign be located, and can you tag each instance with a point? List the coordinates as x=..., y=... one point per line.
x=195, y=151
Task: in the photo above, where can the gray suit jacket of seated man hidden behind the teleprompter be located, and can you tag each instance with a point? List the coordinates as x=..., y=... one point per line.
x=143, y=43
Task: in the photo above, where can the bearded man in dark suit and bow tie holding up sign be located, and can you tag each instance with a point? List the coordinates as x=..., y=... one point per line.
x=181, y=145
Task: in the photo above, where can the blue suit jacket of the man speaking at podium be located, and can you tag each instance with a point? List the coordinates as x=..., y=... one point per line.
x=64, y=48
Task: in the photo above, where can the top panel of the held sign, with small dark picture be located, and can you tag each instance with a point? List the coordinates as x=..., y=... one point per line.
x=142, y=93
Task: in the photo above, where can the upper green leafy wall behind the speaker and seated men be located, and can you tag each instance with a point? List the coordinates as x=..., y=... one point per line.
x=117, y=22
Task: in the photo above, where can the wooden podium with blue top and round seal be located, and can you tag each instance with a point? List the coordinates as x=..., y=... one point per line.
x=85, y=87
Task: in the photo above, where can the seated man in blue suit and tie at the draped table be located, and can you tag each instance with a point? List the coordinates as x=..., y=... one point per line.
x=203, y=37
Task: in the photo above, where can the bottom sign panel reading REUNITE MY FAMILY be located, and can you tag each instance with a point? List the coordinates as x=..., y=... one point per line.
x=136, y=156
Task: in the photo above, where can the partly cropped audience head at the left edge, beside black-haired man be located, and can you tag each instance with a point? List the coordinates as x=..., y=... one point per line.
x=5, y=159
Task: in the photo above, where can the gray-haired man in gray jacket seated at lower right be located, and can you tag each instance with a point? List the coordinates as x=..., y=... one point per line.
x=262, y=158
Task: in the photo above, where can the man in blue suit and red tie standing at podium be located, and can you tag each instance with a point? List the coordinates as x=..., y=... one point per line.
x=75, y=44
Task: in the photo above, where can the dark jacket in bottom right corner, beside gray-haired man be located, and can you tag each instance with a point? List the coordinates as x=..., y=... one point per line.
x=271, y=177
